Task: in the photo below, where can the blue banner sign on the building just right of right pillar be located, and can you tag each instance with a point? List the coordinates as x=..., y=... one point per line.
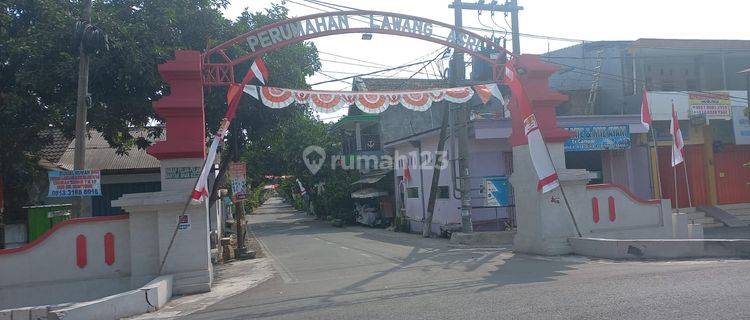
x=597, y=138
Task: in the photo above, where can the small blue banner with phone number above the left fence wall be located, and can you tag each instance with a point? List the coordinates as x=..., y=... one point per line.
x=76, y=183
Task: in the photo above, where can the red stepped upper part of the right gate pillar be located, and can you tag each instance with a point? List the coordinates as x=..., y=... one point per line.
x=535, y=75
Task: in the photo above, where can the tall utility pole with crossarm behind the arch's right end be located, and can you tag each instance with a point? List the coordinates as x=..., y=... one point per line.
x=462, y=115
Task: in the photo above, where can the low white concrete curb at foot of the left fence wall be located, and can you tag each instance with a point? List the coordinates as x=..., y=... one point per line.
x=148, y=298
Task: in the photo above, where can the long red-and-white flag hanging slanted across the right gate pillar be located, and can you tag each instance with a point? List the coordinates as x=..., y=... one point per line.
x=545, y=170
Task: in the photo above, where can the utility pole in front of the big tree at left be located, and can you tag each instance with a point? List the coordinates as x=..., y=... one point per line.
x=79, y=157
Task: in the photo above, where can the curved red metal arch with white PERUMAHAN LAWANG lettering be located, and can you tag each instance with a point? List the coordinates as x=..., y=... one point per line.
x=218, y=62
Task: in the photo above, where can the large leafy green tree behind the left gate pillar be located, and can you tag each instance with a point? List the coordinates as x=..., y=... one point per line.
x=38, y=72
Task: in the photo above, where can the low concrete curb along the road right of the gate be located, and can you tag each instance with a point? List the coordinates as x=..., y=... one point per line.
x=661, y=248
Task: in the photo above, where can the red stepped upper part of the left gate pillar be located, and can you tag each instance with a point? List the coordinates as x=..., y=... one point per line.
x=182, y=110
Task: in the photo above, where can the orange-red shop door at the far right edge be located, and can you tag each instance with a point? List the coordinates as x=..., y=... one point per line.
x=733, y=174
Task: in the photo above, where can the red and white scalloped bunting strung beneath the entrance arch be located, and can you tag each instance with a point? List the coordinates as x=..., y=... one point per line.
x=370, y=102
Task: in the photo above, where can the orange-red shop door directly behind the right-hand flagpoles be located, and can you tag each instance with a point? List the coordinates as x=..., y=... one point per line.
x=698, y=187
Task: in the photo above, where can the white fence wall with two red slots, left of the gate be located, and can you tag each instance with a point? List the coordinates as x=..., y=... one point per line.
x=76, y=260
